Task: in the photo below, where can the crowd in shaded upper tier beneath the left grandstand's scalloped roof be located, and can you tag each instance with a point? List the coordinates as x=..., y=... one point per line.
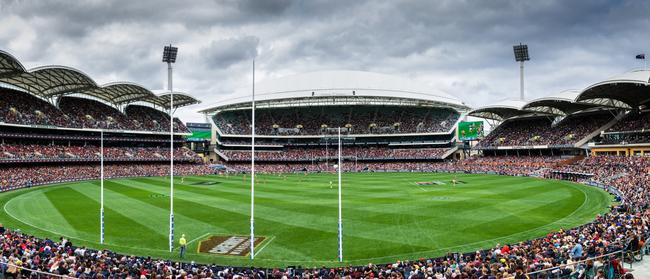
x=72, y=112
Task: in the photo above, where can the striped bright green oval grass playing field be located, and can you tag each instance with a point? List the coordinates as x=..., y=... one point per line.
x=387, y=216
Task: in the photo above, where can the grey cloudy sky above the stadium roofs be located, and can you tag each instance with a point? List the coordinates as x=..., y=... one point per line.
x=461, y=47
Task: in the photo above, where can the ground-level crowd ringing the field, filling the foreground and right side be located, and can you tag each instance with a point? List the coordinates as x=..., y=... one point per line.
x=566, y=253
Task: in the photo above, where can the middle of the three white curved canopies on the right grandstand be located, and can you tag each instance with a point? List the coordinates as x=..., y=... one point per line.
x=561, y=104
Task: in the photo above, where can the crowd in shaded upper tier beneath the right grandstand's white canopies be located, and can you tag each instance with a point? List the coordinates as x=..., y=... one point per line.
x=541, y=131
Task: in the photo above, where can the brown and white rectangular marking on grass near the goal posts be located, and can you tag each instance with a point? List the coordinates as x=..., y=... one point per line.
x=235, y=245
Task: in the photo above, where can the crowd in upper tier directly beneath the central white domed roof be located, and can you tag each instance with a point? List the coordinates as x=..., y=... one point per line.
x=352, y=120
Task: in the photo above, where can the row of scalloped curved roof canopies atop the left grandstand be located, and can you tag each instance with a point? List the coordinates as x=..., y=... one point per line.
x=57, y=81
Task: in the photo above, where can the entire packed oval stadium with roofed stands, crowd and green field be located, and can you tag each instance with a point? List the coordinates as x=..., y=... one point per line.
x=558, y=183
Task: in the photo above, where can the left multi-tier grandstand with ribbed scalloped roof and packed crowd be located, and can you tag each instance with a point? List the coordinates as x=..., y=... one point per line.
x=52, y=119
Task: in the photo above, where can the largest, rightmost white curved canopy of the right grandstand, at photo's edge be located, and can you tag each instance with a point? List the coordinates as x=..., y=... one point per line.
x=628, y=90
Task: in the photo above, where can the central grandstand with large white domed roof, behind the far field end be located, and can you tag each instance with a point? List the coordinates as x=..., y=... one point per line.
x=382, y=118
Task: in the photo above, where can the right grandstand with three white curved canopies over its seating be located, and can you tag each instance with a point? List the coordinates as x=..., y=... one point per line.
x=608, y=117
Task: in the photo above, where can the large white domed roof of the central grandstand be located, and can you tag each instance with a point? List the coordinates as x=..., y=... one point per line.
x=338, y=87
